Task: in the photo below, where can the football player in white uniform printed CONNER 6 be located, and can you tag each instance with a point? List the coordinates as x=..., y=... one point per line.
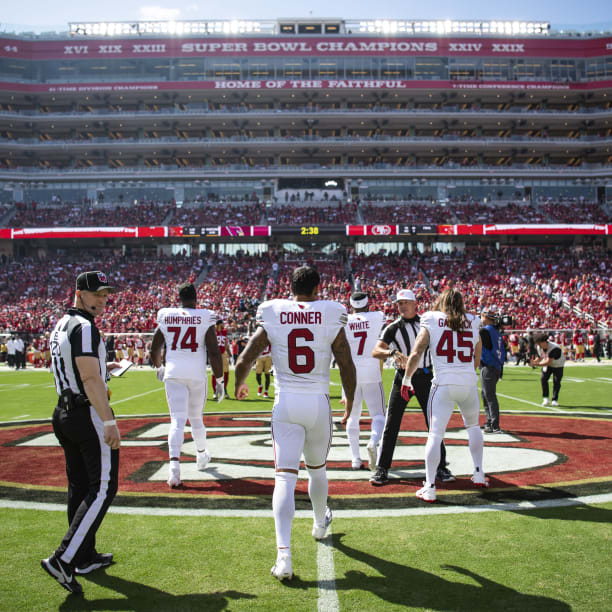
x=303, y=333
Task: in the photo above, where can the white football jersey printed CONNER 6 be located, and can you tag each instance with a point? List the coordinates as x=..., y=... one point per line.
x=301, y=335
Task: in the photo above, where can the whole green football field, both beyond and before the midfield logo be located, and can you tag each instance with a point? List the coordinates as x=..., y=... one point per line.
x=548, y=558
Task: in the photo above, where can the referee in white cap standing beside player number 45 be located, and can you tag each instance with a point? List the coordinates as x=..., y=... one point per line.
x=397, y=340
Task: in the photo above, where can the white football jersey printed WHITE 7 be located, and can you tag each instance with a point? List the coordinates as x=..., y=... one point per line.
x=362, y=332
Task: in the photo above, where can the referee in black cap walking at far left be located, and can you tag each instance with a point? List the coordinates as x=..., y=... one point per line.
x=85, y=426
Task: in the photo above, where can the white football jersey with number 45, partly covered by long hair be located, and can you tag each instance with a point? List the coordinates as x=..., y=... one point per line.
x=452, y=352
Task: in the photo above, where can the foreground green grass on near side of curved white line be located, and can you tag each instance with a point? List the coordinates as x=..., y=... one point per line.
x=553, y=560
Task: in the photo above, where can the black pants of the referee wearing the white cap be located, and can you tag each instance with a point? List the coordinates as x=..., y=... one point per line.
x=395, y=411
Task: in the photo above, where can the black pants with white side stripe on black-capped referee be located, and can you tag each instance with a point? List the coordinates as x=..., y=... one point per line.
x=92, y=468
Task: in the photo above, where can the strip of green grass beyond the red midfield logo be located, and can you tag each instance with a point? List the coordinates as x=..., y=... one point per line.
x=30, y=394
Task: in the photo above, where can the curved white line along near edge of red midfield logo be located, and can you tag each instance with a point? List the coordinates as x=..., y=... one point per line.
x=425, y=509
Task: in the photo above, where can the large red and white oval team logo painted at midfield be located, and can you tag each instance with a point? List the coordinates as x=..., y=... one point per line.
x=540, y=450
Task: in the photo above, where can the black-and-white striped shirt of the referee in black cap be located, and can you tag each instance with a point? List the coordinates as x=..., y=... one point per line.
x=75, y=335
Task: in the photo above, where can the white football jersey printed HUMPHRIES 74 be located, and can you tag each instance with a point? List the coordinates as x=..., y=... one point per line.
x=184, y=330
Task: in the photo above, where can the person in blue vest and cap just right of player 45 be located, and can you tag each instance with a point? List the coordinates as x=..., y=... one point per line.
x=491, y=367
